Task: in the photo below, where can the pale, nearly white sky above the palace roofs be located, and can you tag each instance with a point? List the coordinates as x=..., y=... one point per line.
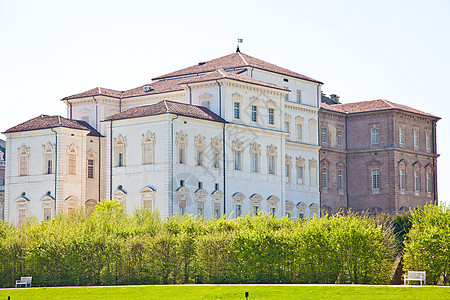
x=361, y=50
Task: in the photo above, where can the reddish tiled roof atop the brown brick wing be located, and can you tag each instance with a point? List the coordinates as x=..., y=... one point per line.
x=373, y=105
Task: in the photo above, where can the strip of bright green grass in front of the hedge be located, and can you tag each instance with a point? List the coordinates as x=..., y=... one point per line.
x=229, y=292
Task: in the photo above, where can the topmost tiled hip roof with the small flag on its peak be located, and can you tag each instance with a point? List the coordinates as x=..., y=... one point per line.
x=231, y=61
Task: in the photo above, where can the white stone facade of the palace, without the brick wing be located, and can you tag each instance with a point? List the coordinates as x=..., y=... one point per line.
x=264, y=157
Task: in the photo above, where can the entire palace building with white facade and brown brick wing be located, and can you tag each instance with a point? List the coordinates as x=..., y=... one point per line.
x=233, y=135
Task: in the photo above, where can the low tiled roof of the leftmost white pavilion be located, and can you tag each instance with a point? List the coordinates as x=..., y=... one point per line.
x=45, y=122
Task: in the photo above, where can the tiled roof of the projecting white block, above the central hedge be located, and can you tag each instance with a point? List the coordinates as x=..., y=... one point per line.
x=166, y=106
